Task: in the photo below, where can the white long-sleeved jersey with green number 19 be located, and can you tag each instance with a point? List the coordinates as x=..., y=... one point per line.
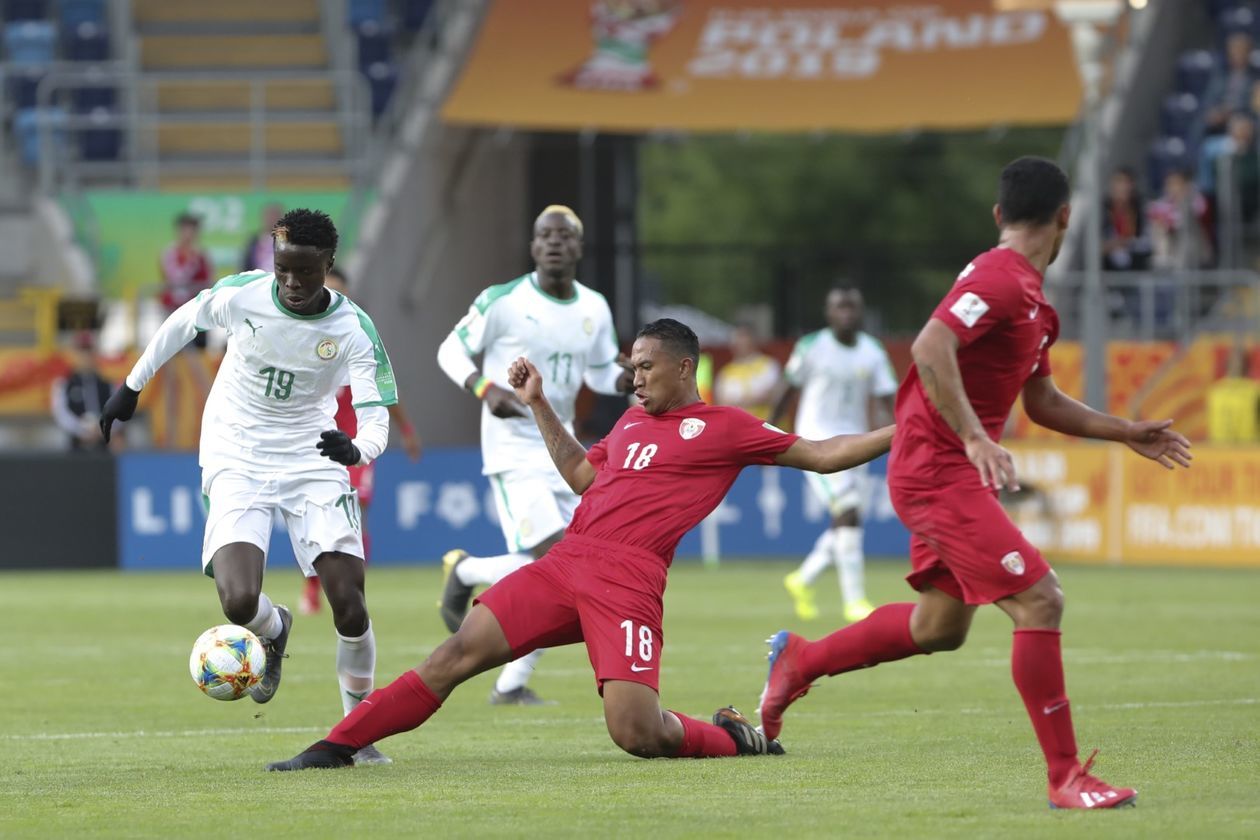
x=277, y=390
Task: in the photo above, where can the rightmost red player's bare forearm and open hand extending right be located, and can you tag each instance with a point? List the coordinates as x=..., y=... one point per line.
x=1156, y=440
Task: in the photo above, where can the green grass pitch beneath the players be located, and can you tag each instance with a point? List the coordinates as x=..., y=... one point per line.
x=103, y=732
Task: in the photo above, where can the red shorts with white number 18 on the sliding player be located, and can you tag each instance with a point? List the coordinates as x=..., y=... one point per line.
x=588, y=590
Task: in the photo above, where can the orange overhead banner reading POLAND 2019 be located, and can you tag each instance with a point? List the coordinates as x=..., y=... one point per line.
x=632, y=66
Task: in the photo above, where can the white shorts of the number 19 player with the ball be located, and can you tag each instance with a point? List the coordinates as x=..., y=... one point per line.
x=322, y=514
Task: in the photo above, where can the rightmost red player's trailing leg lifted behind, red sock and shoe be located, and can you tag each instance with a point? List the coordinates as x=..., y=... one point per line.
x=938, y=623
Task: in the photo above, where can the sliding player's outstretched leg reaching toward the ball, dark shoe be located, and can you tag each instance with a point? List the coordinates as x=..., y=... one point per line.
x=413, y=700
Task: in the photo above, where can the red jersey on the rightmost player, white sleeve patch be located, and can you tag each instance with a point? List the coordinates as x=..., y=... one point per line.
x=1005, y=328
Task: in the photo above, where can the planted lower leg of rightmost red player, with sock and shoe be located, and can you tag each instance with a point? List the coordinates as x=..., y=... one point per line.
x=1038, y=669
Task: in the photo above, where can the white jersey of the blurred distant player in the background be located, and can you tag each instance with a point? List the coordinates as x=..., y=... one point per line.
x=837, y=383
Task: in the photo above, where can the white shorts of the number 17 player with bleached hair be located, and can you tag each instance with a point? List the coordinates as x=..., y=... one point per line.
x=534, y=506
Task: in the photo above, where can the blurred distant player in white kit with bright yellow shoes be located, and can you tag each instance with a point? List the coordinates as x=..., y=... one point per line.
x=847, y=386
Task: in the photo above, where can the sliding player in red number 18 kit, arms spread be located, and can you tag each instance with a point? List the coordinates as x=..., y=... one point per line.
x=665, y=467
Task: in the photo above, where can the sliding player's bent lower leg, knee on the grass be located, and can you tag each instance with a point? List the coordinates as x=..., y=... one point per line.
x=639, y=726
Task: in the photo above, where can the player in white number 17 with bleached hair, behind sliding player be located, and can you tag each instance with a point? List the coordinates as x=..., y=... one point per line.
x=566, y=331
